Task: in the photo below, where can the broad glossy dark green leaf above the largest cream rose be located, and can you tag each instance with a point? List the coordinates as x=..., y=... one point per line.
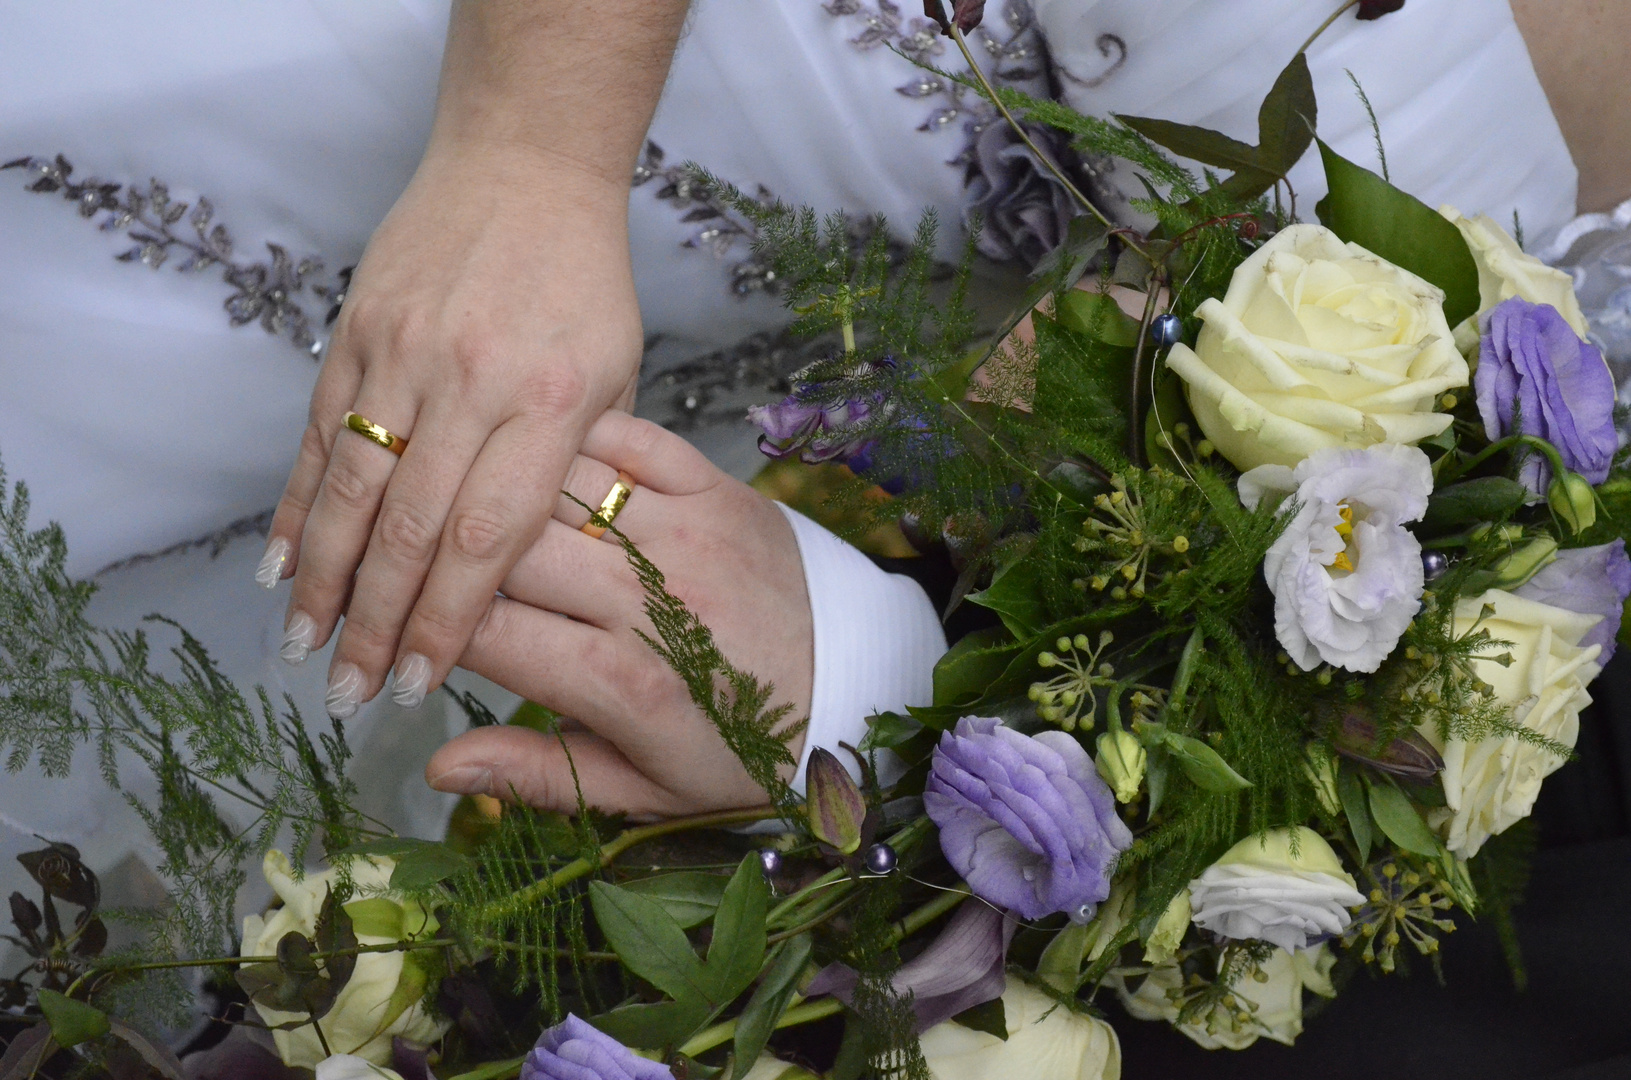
x=1366, y=210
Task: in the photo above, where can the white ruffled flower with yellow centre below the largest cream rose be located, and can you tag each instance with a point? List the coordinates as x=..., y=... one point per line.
x=1346, y=575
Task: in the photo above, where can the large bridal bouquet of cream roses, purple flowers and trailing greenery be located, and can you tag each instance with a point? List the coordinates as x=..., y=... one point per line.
x=1299, y=547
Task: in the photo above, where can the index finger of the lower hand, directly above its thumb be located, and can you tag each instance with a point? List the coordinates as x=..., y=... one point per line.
x=612, y=683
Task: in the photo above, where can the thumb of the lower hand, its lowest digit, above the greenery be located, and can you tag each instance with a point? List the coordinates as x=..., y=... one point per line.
x=518, y=764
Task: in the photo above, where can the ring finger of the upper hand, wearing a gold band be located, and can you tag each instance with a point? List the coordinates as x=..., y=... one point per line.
x=340, y=523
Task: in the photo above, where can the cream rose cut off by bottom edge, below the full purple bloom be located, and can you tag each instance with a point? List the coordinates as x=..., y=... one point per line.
x=1046, y=1042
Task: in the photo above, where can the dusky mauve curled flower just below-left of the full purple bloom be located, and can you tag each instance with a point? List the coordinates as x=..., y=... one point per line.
x=961, y=970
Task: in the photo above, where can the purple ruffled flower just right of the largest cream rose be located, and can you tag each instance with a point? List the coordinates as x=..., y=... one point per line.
x=1537, y=378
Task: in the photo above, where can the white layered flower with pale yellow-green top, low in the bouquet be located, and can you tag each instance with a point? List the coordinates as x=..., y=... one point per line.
x=1286, y=887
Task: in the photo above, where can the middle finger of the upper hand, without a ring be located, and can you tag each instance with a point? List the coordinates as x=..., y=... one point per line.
x=399, y=554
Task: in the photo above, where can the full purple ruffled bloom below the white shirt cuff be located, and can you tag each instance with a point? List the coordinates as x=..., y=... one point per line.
x=1025, y=820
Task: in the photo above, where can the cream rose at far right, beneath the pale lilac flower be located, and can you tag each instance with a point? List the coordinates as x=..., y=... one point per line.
x=1492, y=784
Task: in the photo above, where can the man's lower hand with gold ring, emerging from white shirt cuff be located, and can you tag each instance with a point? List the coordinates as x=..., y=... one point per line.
x=564, y=635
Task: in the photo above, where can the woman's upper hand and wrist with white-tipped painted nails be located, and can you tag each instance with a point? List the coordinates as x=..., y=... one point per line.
x=490, y=322
